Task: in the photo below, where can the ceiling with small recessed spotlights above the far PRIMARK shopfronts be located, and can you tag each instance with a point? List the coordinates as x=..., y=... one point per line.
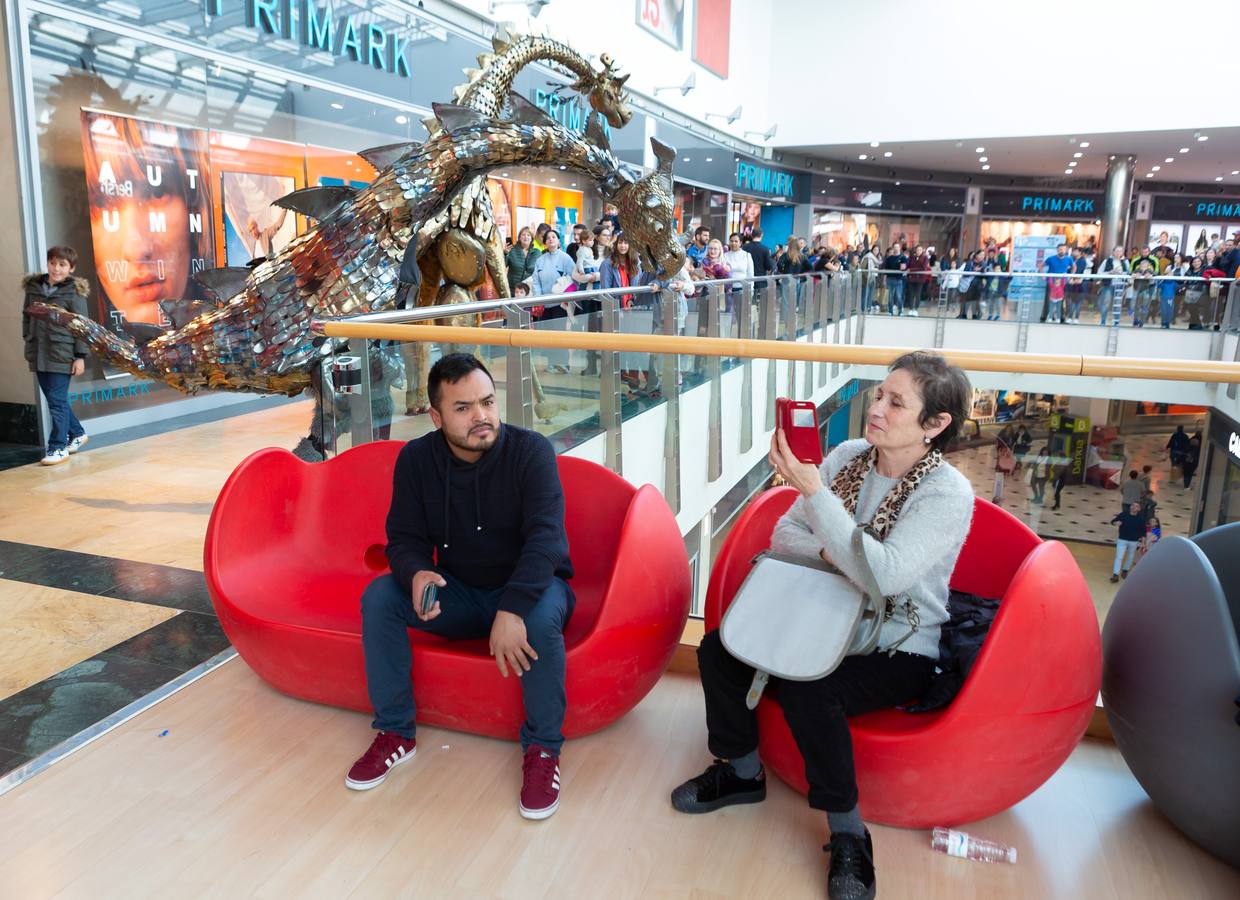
x=1051, y=157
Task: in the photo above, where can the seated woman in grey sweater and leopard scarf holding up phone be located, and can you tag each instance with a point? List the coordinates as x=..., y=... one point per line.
x=919, y=510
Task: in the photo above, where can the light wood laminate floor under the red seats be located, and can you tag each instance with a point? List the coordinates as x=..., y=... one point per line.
x=244, y=798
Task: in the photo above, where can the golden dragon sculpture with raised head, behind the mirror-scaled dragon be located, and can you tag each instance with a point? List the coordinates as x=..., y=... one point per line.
x=463, y=244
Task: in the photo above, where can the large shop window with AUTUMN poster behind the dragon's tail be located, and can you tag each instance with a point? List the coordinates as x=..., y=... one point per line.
x=157, y=165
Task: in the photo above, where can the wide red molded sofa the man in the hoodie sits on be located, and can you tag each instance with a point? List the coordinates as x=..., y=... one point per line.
x=292, y=546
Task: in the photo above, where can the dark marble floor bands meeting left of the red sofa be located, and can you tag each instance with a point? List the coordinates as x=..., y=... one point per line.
x=45, y=715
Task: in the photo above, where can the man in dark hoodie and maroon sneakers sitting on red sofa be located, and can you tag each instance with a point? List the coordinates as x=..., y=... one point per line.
x=478, y=510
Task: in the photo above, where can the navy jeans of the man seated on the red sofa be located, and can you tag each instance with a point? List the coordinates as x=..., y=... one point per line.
x=464, y=613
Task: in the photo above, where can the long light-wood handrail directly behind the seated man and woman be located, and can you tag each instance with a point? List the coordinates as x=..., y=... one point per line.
x=970, y=360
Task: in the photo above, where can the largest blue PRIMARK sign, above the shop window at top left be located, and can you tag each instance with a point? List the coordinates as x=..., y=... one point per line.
x=374, y=44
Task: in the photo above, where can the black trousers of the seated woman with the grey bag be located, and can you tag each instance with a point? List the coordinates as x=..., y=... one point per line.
x=817, y=712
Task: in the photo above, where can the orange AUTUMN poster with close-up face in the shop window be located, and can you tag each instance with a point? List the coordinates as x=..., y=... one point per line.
x=149, y=193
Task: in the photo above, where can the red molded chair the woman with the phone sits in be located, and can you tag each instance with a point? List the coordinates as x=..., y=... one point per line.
x=1024, y=708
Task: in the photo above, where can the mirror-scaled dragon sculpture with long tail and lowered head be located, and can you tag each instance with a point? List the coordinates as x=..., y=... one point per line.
x=259, y=338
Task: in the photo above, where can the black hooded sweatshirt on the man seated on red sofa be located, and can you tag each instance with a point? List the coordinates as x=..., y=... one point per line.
x=494, y=524
